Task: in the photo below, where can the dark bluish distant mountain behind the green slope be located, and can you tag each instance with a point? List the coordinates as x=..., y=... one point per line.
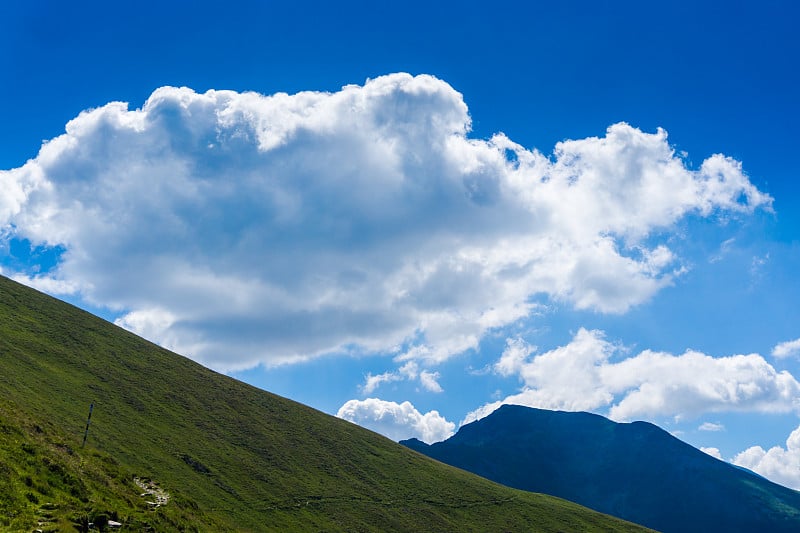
x=635, y=471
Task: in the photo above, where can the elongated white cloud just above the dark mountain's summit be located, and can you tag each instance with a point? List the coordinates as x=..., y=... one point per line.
x=582, y=376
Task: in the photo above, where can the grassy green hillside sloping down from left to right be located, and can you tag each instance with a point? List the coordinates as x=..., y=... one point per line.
x=231, y=457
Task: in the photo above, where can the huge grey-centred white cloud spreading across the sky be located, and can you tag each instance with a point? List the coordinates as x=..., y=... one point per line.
x=243, y=229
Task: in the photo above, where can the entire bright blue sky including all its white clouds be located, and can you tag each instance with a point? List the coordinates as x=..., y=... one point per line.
x=576, y=205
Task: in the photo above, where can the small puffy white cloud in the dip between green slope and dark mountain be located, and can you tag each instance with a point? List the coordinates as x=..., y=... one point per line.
x=397, y=421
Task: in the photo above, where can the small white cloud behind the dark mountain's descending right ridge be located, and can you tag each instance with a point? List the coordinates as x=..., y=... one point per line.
x=781, y=465
